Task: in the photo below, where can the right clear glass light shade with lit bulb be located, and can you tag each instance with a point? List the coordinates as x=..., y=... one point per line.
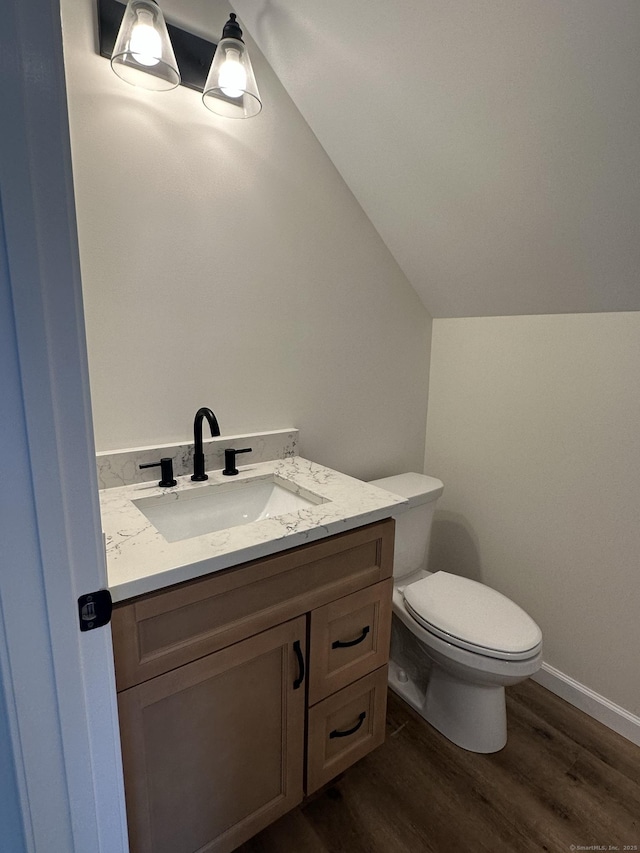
x=231, y=90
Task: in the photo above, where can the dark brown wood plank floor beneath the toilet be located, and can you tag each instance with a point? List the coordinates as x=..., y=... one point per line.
x=564, y=782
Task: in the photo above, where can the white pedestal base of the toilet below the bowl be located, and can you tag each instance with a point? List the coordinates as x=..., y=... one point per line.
x=473, y=716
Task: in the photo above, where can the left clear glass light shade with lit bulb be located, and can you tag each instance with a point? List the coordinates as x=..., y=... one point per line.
x=142, y=54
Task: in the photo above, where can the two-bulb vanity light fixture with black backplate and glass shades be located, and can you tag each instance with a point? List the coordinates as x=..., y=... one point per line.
x=147, y=52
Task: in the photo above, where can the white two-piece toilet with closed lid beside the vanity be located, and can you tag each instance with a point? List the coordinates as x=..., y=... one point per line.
x=456, y=643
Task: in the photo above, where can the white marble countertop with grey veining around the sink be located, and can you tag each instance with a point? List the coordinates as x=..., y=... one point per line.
x=140, y=559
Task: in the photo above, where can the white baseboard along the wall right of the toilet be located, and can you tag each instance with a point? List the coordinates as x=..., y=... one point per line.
x=596, y=706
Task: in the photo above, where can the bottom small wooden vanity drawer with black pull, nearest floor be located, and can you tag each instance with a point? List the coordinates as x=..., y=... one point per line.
x=345, y=727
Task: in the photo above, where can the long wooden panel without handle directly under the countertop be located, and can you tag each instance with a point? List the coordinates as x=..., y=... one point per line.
x=166, y=629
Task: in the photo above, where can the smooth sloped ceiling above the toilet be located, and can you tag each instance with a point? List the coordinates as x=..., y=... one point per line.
x=494, y=144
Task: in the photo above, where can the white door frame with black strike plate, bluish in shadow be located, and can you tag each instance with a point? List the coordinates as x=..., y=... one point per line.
x=58, y=683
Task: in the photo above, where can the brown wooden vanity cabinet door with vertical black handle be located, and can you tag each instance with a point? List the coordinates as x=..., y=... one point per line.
x=213, y=751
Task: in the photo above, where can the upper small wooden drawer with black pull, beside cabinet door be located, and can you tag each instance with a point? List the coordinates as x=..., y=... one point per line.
x=349, y=638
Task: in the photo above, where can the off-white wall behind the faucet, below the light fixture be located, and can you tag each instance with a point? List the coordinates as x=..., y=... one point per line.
x=226, y=264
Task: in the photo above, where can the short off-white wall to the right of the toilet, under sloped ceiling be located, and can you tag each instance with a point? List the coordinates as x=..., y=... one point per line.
x=534, y=428
